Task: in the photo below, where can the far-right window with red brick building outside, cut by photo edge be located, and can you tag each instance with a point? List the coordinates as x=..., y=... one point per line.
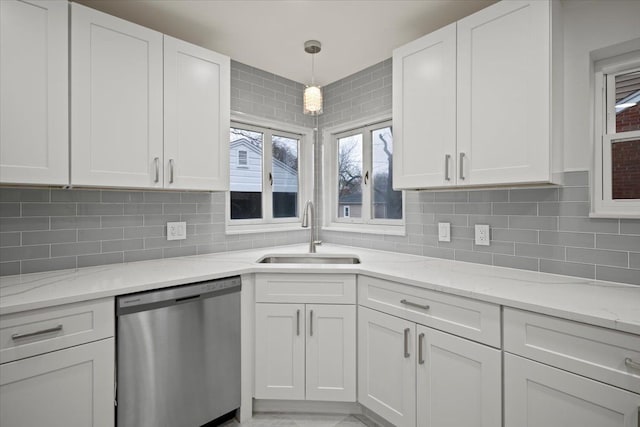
x=617, y=165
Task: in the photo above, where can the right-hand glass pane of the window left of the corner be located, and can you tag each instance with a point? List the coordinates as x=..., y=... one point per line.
x=284, y=168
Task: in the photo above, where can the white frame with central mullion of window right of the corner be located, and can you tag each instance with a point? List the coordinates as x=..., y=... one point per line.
x=366, y=223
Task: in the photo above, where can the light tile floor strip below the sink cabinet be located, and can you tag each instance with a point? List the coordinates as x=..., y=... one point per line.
x=280, y=419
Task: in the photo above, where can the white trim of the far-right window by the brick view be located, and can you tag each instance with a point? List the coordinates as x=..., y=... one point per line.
x=602, y=205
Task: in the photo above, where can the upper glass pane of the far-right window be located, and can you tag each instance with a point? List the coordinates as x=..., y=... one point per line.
x=628, y=102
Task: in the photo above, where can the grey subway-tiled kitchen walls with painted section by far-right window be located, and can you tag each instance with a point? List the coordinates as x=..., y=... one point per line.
x=541, y=229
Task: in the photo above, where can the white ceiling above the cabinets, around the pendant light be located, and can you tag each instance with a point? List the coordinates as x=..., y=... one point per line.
x=270, y=34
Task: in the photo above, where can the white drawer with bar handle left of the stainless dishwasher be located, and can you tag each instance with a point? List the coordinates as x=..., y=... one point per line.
x=40, y=331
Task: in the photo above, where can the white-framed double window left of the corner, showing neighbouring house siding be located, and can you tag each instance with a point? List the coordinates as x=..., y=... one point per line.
x=266, y=188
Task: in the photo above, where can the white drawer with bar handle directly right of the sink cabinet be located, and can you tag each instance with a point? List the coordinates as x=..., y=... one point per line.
x=475, y=320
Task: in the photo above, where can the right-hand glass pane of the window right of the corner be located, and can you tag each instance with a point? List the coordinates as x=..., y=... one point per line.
x=387, y=203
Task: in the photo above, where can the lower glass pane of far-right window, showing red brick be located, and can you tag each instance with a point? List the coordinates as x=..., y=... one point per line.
x=625, y=170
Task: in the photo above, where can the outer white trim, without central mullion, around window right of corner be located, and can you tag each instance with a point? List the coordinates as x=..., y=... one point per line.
x=330, y=186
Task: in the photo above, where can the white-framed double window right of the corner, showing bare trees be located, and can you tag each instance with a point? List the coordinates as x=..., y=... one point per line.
x=359, y=164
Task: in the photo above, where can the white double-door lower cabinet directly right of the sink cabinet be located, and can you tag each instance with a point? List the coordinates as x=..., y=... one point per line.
x=413, y=375
